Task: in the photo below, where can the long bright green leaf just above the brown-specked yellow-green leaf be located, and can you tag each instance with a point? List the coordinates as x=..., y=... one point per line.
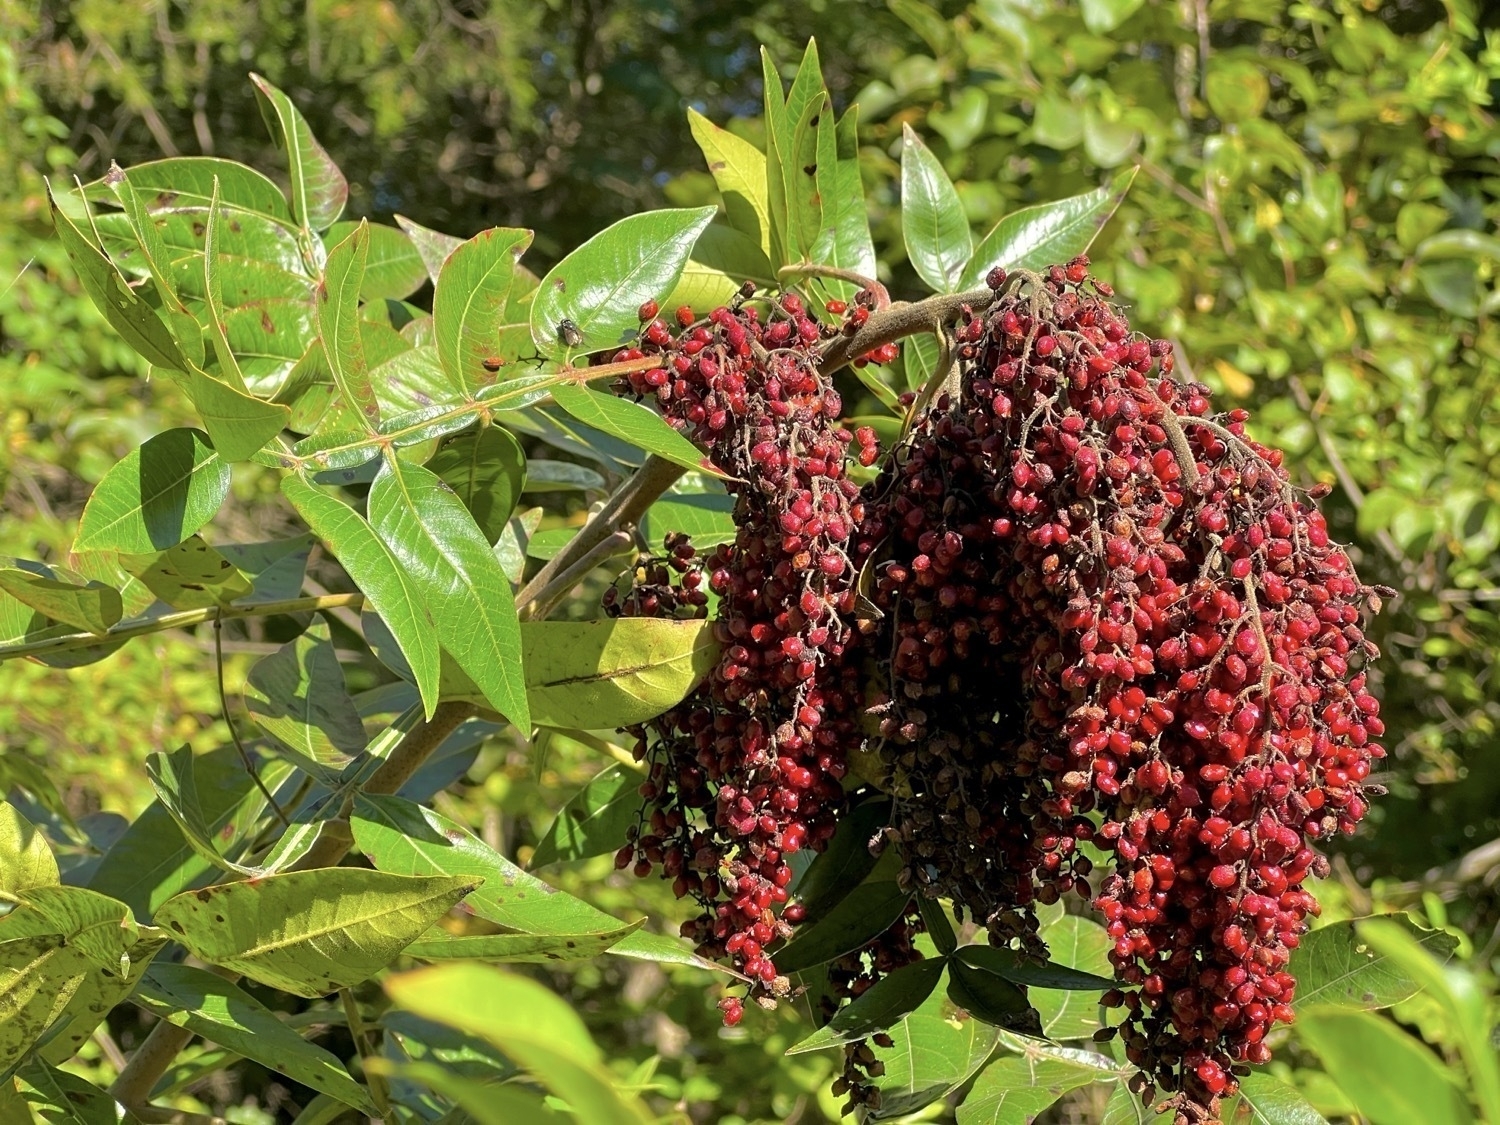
x=401, y=836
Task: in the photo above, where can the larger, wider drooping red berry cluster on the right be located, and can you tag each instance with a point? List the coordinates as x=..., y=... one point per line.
x=1105, y=605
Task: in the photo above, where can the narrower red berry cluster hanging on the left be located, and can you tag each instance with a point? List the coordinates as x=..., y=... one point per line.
x=748, y=770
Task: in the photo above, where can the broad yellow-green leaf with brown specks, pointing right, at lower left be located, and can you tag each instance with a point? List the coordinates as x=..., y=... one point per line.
x=310, y=932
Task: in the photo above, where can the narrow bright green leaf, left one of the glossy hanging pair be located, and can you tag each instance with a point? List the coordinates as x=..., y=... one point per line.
x=380, y=575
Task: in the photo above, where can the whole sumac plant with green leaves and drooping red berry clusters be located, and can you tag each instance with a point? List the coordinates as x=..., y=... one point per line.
x=1009, y=706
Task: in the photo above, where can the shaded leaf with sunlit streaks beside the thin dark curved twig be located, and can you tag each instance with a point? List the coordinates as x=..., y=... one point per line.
x=299, y=698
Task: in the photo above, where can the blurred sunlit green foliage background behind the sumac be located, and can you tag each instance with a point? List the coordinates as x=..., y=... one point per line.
x=1315, y=224
